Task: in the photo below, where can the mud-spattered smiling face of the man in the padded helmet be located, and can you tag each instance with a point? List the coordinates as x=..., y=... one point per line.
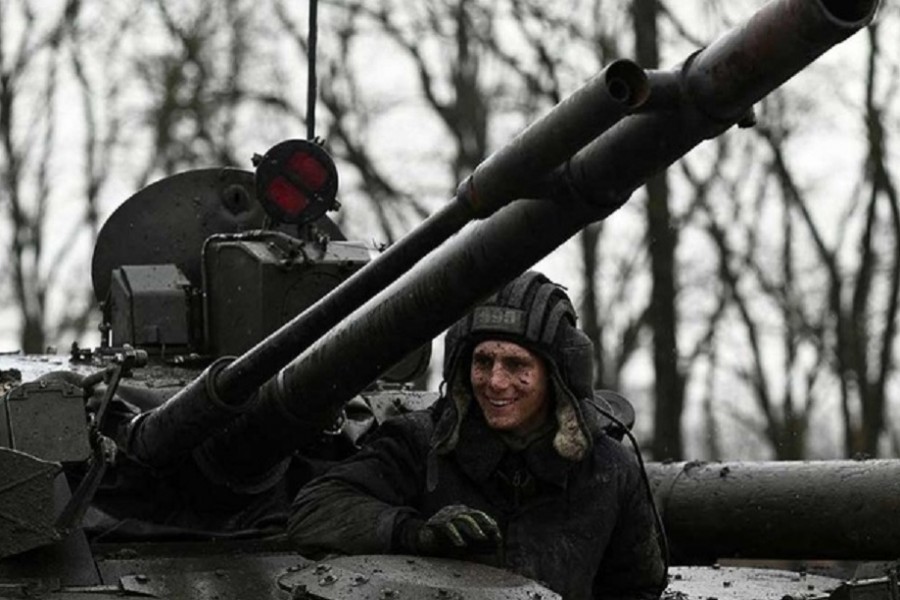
x=510, y=384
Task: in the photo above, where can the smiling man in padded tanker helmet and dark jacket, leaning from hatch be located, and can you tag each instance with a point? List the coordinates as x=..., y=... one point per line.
x=511, y=467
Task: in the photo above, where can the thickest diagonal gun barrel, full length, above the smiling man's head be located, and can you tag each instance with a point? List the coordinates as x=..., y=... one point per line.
x=715, y=88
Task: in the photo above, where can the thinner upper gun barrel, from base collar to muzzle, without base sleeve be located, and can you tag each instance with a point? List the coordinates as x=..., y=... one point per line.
x=617, y=90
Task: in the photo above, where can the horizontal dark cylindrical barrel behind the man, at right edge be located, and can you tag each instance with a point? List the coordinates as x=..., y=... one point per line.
x=780, y=510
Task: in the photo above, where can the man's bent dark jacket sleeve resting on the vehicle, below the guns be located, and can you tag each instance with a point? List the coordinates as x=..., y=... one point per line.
x=356, y=506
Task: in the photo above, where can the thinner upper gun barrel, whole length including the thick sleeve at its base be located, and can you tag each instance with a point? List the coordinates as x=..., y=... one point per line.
x=223, y=390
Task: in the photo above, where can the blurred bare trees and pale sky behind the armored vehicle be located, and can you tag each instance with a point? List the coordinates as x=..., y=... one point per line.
x=746, y=300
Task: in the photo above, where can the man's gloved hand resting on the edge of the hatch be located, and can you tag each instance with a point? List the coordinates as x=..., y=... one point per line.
x=457, y=528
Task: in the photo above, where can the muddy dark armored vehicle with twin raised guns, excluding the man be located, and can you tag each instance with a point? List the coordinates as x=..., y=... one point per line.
x=246, y=345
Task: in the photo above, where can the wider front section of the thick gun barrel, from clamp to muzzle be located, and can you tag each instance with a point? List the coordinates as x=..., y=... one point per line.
x=712, y=90
